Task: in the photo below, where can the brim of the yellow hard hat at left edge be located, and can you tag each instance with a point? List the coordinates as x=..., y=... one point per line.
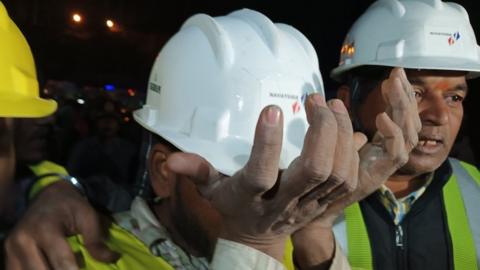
x=26, y=107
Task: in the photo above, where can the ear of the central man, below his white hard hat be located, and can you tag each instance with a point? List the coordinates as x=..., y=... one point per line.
x=160, y=176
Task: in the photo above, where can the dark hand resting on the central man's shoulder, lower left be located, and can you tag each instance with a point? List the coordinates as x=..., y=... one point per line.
x=57, y=212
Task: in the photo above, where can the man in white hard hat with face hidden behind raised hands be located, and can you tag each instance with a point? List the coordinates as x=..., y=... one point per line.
x=206, y=89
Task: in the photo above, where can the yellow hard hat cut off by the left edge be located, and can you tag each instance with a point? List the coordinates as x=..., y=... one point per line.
x=19, y=95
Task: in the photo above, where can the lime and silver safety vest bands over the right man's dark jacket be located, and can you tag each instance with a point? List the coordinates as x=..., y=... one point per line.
x=462, y=191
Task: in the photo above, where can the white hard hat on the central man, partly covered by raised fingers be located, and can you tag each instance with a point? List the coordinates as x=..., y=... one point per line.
x=212, y=79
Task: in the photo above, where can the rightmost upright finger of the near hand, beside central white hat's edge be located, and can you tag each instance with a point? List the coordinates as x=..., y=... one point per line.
x=345, y=148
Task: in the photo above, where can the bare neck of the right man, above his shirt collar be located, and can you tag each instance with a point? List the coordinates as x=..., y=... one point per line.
x=402, y=185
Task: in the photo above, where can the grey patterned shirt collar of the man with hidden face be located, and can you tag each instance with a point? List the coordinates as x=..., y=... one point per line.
x=144, y=225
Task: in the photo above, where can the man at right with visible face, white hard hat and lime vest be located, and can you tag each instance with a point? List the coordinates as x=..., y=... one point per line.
x=426, y=215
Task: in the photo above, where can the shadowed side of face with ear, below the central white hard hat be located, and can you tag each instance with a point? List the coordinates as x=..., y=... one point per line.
x=183, y=208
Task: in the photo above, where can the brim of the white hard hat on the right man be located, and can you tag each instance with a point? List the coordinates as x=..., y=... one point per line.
x=426, y=63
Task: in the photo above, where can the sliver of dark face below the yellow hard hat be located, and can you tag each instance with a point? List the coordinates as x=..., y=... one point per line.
x=7, y=156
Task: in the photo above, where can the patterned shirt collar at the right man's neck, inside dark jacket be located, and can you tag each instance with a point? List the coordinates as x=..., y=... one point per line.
x=398, y=208
